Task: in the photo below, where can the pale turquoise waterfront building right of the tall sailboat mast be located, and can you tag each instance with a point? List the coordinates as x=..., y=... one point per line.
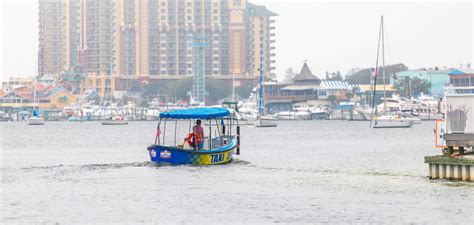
x=437, y=78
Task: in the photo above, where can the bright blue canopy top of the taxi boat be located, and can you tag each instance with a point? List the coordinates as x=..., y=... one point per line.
x=196, y=113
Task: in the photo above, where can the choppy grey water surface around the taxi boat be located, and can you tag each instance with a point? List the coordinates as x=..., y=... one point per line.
x=300, y=172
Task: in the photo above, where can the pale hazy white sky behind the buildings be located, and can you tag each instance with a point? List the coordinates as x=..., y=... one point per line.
x=330, y=35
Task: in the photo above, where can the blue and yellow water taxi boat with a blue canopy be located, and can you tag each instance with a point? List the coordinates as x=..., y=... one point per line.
x=213, y=150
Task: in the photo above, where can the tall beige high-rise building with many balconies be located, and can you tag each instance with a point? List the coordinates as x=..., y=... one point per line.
x=118, y=42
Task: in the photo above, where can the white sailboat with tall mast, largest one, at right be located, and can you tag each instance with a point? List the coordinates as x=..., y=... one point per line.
x=386, y=120
